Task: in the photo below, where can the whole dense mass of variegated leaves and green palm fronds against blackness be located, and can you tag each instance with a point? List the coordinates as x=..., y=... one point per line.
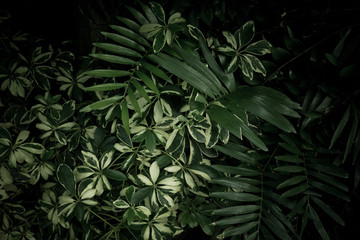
x=165, y=129
